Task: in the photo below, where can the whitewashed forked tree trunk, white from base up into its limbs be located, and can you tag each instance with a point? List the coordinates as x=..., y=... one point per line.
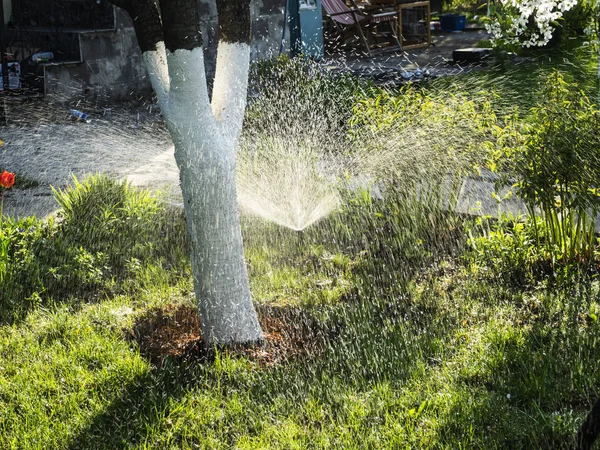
x=205, y=144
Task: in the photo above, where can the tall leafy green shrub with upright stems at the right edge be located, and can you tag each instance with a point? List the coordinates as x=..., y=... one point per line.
x=557, y=166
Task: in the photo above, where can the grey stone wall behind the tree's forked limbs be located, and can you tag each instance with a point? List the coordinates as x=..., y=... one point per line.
x=111, y=67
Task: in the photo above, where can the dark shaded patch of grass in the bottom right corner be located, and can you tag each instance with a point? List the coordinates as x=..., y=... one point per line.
x=534, y=382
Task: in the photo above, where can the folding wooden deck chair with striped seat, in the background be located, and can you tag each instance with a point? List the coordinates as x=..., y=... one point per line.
x=347, y=19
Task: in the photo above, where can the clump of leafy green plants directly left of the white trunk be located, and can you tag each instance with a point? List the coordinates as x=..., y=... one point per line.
x=105, y=232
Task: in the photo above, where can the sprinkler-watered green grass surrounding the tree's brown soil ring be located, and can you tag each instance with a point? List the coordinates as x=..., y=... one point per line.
x=445, y=355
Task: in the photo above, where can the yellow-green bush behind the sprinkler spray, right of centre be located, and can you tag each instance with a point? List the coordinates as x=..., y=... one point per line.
x=420, y=137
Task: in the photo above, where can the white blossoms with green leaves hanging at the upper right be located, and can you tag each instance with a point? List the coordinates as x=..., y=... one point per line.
x=527, y=23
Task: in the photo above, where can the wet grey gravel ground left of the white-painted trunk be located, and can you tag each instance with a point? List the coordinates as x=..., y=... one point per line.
x=129, y=143
